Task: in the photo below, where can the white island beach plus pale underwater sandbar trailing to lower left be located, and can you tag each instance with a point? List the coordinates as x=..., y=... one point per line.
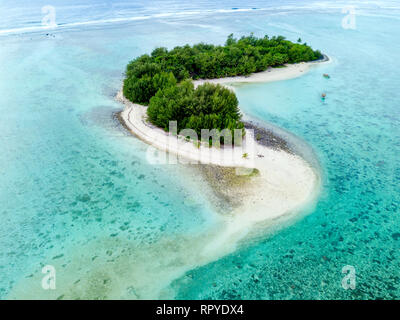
x=276, y=192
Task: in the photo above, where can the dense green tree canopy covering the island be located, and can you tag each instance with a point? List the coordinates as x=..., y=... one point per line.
x=162, y=79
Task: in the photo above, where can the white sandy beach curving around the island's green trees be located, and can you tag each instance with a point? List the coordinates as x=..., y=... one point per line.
x=281, y=187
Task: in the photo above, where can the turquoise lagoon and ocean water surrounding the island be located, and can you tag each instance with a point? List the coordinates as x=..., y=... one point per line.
x=76, y=191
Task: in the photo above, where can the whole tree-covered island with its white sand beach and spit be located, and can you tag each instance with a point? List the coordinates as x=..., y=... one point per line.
x=172, y=97
